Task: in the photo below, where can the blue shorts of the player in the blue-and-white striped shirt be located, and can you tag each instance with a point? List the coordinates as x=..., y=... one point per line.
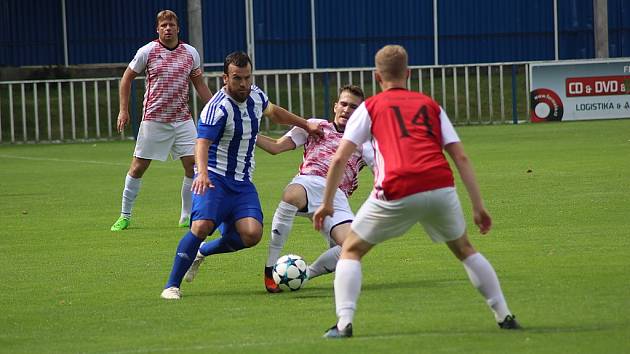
x=227, y=202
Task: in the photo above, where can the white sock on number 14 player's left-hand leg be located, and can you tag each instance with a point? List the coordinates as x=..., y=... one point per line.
x=347, y=290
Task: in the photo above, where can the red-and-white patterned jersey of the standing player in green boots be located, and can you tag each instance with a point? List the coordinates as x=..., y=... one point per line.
x=168, y=72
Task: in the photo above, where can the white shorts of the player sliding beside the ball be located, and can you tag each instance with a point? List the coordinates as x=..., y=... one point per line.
x=315, y=186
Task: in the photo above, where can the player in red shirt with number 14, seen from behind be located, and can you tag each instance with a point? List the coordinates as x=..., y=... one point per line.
x=413, y=183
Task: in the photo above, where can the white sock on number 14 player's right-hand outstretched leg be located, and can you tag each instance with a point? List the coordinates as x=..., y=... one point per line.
x=483, y=277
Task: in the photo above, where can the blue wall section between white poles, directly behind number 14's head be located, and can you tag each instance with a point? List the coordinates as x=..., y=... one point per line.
x=348, y=35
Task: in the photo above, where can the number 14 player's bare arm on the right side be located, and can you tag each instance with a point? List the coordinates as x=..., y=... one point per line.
x=480, y=214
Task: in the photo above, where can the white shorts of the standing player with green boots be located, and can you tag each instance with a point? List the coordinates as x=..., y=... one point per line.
x=156, y=140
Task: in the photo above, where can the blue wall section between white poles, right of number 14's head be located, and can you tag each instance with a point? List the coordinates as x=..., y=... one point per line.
x=499, y=31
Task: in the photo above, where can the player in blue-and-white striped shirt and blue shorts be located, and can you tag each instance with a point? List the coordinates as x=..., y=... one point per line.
x=223, y=191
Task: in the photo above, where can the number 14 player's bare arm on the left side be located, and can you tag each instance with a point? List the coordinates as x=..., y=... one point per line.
x=335, y=174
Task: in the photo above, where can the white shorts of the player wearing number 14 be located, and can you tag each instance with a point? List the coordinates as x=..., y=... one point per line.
x=438, y=211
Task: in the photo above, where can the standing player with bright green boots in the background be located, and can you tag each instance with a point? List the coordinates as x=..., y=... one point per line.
x=167, y=125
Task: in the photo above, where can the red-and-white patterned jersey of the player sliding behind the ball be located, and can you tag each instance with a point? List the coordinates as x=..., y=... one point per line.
x=318, y=153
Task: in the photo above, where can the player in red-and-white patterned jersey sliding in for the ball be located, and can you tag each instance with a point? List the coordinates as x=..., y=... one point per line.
x=304, y=193
